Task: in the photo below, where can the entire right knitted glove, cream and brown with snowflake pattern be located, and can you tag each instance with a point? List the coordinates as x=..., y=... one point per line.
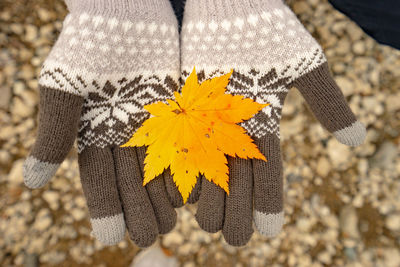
x=270, y=51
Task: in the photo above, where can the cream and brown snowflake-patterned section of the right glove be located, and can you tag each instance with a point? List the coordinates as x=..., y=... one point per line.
x=268, y=51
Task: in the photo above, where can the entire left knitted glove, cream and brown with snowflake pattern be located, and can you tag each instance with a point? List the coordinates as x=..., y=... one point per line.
x=112, y=58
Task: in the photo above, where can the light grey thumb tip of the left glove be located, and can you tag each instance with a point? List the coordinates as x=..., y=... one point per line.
x=37, y=173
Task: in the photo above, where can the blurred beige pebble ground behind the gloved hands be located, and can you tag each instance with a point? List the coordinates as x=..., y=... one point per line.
x=342, y=204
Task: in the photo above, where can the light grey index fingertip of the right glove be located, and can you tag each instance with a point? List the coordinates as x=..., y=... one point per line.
x=269, y=225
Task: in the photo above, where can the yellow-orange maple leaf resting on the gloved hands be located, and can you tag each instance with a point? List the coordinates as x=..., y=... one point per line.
x=192, y=134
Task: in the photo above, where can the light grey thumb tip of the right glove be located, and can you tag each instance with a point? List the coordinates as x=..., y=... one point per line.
x=353, y=135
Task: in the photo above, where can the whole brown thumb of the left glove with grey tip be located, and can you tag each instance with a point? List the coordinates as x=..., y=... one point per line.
x=59, y=114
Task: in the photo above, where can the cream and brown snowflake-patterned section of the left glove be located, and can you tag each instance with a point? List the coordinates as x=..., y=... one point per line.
x=114, y=64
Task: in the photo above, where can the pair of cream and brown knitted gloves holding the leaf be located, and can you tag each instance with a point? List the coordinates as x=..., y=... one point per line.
x=115, y=56
